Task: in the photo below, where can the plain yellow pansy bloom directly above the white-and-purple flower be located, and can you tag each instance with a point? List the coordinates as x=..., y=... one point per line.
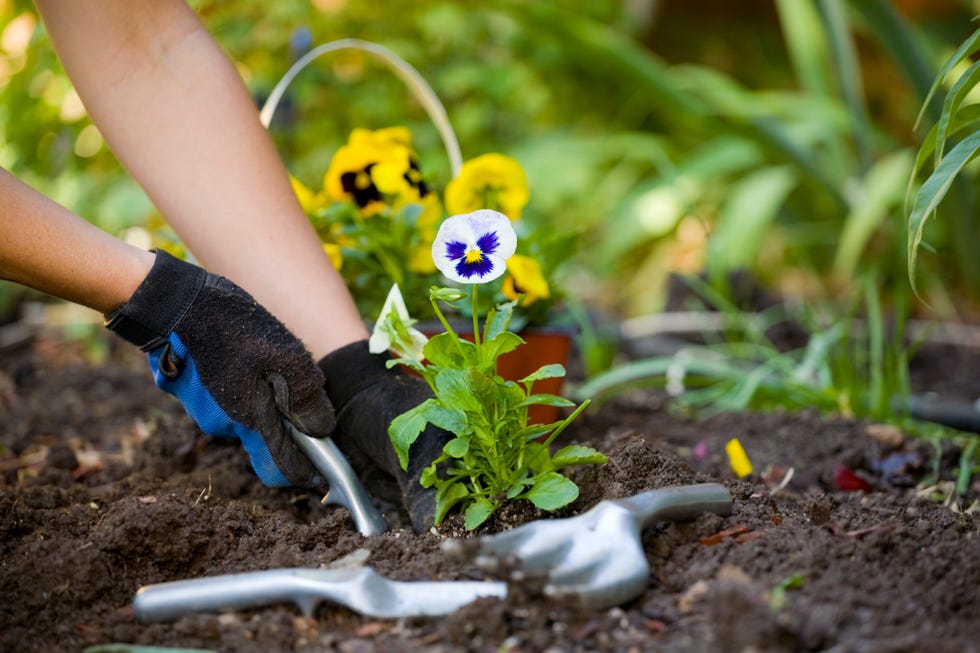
x=491, y=181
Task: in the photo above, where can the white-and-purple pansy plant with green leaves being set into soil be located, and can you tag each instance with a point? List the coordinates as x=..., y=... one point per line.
x=496, y=455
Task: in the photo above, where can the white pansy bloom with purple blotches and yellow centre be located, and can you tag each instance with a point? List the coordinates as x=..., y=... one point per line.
x=474, y=247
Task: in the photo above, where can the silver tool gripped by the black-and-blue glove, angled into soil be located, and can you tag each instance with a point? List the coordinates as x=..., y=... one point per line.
x=345, y=488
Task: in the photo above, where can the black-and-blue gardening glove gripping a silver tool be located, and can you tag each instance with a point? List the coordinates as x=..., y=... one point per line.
x=236, y=369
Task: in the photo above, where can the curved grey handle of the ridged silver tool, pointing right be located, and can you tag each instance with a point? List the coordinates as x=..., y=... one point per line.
x=679, y=503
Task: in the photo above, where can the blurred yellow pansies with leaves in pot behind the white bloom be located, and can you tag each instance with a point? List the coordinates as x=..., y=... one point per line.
x=377, y=217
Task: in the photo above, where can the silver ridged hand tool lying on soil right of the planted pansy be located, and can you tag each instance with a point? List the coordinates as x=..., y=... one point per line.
x=595, y=558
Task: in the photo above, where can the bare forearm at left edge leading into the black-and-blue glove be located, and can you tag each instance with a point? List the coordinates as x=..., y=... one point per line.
x=46, y=247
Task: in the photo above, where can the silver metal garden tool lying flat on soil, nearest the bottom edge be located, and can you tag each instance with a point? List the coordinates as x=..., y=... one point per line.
x=361, y=589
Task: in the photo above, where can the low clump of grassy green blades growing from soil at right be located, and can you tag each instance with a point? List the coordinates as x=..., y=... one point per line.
x=853, y=363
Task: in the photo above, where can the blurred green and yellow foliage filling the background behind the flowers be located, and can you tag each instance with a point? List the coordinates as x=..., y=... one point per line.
x=776, y=136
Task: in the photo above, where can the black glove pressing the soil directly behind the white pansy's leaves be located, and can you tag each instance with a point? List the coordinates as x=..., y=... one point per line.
x=367, y=397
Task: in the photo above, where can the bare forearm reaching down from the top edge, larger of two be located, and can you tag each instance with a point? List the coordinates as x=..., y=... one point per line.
x=175, y=112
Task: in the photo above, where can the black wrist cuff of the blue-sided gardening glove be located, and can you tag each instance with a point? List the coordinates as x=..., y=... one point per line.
x=159, y=302
